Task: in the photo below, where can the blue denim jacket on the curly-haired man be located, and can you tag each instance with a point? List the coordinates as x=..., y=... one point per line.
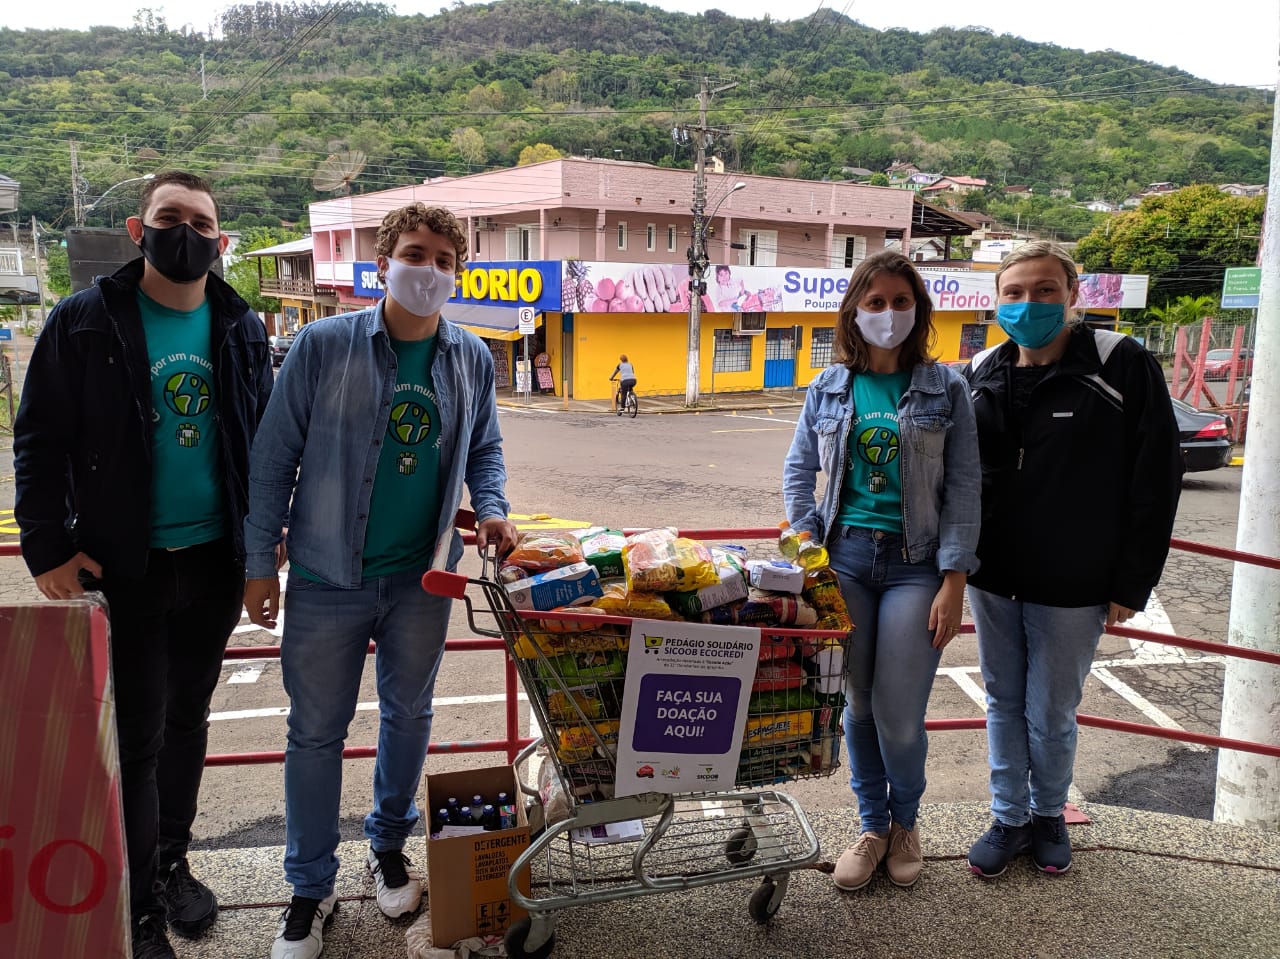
x=322, y=435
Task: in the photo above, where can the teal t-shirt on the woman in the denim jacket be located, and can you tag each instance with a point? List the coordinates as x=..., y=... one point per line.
x=872, y=495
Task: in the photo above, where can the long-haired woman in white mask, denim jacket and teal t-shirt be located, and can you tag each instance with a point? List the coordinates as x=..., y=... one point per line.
x=894, y=433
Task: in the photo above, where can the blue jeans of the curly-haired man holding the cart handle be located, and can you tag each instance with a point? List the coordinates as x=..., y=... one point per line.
x=327, y=633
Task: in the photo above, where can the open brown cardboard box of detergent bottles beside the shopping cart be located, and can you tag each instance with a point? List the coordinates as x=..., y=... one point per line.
x=467, y=876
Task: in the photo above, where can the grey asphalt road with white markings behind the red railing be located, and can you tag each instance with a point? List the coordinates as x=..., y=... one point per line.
x=725, y=471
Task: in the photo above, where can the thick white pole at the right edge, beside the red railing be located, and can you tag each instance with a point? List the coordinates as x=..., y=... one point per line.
x=1246, y=792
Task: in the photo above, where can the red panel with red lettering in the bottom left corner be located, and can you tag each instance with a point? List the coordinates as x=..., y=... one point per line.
x=63, y=880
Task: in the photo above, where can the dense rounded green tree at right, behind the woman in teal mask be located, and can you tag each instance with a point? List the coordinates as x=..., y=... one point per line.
x=1183, y=241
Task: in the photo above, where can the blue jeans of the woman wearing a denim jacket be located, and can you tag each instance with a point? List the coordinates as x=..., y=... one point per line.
x=892, y=666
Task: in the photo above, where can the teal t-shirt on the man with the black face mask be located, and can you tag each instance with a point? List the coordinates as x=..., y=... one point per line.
x=188, y=500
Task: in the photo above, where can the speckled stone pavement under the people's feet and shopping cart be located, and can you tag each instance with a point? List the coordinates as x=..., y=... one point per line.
x=1142, y=887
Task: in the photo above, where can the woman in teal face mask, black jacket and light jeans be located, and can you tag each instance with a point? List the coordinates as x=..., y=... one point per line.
x=1081, y=478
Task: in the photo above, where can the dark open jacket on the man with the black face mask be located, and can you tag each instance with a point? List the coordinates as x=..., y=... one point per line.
x=83, y=437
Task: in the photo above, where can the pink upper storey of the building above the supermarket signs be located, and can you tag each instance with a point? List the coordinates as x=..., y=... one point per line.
x=616, y=211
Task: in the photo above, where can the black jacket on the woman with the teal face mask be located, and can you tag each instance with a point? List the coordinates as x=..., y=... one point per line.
x=1078, y=506
